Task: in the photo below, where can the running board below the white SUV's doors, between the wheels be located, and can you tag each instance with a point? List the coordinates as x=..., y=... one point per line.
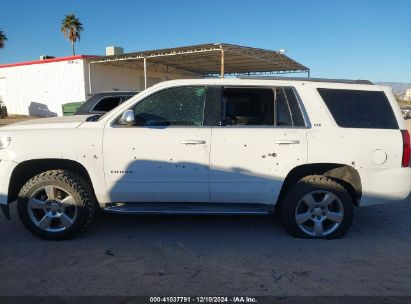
x=189, y=208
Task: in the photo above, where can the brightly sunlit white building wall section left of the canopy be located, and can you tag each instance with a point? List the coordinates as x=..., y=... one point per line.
x=41, y=89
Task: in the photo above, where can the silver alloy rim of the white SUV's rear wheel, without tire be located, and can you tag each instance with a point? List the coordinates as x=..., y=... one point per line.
x=319, y=213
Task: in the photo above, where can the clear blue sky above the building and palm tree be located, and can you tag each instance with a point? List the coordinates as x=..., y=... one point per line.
x=336, y=39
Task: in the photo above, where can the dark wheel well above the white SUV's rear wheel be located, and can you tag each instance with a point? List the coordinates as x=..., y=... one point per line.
x=344, y=174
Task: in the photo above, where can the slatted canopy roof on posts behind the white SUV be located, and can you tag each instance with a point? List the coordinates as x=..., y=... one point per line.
x=207, y=59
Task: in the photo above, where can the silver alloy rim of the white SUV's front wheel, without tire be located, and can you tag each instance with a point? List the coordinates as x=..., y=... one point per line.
x=52, y=208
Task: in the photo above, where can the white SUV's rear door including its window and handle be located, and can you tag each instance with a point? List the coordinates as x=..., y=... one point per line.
x=261, y=138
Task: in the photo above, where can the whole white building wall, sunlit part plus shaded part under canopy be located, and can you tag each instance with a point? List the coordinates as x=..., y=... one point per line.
x=41, y=89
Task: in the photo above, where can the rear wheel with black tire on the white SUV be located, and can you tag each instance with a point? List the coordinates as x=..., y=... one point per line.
x=315, y=186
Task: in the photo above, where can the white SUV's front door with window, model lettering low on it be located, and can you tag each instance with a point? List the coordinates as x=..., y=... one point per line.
x=165, y=156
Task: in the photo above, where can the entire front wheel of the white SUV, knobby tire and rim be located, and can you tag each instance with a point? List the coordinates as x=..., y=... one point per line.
x=56, y=205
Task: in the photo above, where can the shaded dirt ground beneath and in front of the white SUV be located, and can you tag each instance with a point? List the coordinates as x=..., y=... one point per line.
x=211, y=255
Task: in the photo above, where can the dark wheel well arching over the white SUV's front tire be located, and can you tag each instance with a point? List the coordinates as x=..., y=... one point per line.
x=28, y=169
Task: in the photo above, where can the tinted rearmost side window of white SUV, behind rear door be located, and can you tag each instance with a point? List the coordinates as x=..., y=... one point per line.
x=359, y=109
